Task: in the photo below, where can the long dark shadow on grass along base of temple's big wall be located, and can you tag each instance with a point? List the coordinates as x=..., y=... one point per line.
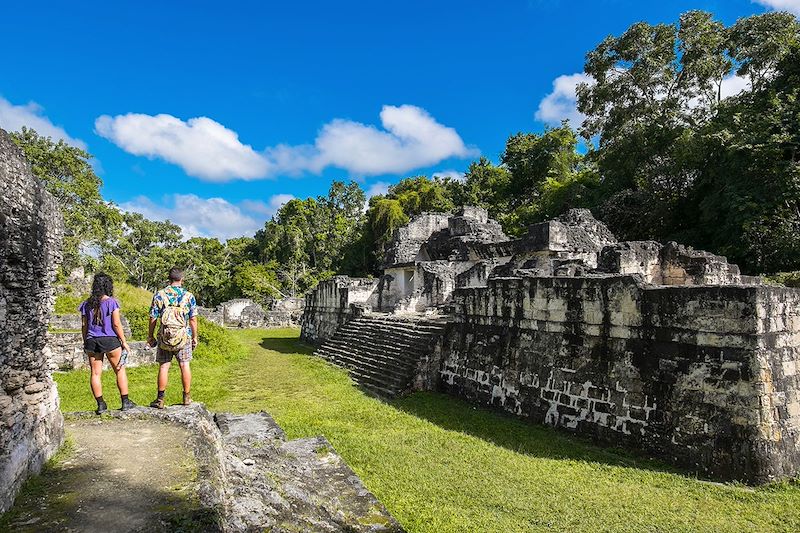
x=504, y=430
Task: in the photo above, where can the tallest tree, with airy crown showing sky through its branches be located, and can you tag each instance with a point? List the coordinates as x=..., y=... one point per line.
x=656, y=88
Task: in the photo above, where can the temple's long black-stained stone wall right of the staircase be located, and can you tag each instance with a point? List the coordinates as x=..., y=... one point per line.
x=706, y=377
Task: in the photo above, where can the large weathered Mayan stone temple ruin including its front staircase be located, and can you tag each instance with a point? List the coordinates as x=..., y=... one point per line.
x=658, y=348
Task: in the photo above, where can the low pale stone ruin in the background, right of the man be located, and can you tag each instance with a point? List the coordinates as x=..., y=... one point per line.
x=245, y=313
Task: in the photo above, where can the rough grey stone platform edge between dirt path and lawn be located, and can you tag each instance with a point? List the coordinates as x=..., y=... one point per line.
x=254, y=479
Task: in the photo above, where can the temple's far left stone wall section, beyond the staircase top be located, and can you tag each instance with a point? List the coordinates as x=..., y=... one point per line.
x=332, y=303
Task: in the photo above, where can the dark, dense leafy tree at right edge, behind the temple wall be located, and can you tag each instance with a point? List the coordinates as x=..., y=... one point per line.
x=746, y=202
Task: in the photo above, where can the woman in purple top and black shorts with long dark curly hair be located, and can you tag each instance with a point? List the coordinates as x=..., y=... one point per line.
x=103, y=335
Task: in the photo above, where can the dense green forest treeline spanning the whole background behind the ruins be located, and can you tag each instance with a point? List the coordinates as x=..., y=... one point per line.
x=663, y=153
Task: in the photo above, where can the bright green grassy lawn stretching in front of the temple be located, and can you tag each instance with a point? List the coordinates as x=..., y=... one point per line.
x=441, y=465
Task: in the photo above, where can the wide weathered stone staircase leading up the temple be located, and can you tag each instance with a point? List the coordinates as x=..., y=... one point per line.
x=382, y=352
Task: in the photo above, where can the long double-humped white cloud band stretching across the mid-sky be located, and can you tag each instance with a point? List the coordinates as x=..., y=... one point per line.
x=410, y=138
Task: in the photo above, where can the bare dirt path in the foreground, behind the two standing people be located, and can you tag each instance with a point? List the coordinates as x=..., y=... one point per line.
x=115, y=475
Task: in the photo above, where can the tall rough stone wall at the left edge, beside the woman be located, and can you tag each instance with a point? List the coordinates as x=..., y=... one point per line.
x=31, y=426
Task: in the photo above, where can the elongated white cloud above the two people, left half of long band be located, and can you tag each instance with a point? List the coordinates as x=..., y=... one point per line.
x=201, y=146
